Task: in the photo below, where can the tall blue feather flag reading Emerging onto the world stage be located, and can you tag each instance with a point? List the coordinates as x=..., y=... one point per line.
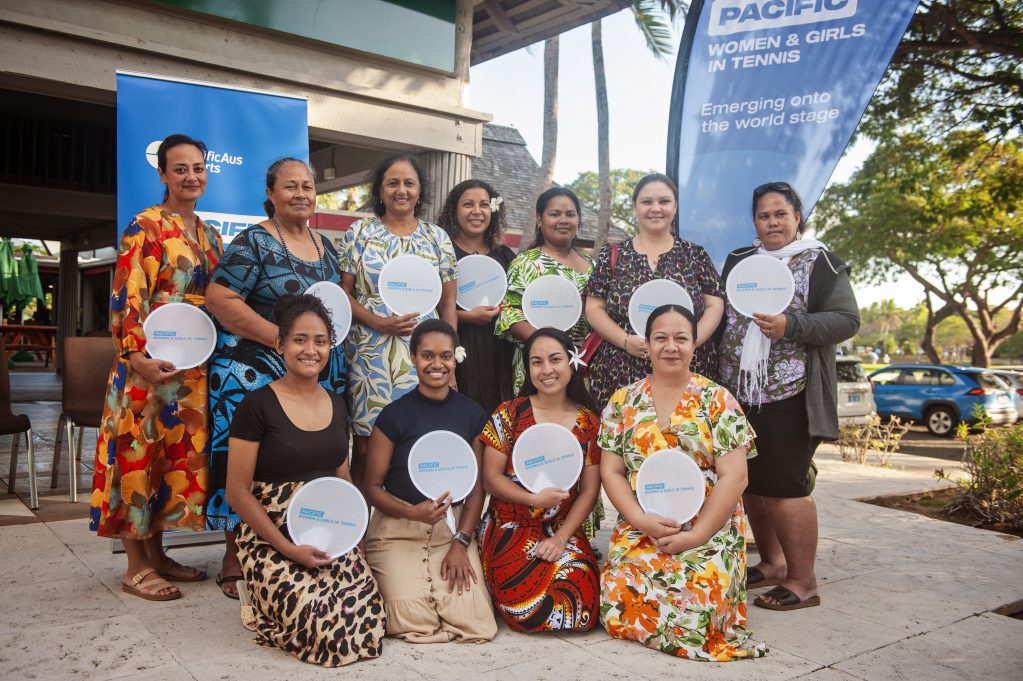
x=770, y=90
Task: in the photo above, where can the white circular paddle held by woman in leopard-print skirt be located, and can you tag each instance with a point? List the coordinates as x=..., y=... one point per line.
x=329, y=514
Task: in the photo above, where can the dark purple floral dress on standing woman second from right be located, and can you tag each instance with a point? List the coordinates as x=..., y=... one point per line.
x=688, y=265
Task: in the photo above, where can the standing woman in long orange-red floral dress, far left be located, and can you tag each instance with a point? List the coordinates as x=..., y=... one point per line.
x=151, y=472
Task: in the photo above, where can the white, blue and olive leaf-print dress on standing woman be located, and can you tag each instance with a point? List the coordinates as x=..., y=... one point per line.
x=381, y=366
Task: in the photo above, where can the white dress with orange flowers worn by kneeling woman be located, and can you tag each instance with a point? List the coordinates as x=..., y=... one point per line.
x=691, y=605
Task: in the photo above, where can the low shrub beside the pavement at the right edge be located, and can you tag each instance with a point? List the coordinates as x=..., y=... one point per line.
x=993, y=491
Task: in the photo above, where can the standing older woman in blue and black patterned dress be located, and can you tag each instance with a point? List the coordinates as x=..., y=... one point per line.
x=279, y=256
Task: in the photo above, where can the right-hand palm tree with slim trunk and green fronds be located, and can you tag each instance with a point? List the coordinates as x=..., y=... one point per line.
x=649, y=16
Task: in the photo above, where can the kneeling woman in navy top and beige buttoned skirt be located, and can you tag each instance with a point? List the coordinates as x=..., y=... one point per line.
x=429, y=576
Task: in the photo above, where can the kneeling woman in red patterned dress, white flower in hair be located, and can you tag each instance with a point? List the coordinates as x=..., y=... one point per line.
x=537, y=560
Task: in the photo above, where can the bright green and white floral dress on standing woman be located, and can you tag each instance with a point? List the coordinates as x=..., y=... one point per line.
x=528, y=266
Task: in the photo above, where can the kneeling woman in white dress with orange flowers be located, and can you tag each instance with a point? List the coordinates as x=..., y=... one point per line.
x=681, y=591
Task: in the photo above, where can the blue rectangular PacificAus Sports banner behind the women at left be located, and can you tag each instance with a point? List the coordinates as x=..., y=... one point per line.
x=245, y=131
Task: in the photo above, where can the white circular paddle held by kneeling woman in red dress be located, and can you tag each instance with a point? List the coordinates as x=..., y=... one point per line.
x=547, y=456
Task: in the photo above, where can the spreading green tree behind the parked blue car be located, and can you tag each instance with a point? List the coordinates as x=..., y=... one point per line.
x=949, y=214
